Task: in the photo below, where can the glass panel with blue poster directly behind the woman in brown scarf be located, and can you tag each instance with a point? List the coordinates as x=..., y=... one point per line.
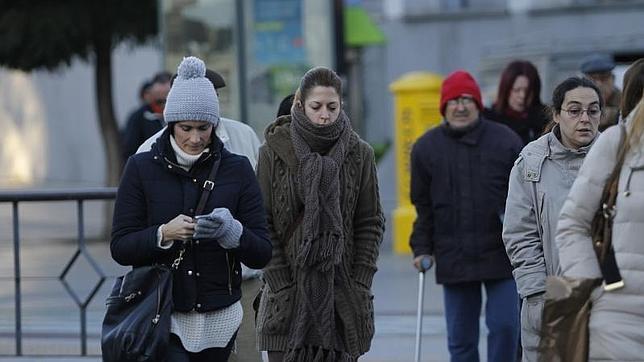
x=284, y=39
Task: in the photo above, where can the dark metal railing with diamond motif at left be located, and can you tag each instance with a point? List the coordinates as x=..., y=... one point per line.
x=80, y=196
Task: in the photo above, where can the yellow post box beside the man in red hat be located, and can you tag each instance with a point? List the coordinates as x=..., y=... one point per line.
x=416, y=101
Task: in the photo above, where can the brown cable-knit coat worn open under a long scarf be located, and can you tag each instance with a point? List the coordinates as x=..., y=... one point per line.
x=363, y=225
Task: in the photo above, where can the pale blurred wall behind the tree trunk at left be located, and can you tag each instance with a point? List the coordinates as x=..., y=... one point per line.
x=50, y=132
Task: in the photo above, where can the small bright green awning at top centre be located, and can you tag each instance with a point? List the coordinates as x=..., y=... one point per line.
x=359, y=29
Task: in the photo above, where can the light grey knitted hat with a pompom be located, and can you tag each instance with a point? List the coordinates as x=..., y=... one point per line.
x=192, y=96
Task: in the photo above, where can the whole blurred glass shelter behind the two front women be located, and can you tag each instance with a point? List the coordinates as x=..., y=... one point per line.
x=261, y=47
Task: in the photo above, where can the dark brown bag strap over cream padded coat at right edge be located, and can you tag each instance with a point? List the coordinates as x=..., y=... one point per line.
x=602, y=226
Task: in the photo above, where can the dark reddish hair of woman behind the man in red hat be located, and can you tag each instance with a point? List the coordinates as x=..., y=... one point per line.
x=511, y=72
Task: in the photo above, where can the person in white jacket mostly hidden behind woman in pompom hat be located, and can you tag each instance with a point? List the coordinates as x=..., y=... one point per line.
x=240, y=139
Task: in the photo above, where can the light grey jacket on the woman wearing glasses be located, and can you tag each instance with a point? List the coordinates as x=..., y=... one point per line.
x=539, y=183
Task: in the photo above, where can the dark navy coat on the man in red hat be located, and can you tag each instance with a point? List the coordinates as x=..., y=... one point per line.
x=459, y=183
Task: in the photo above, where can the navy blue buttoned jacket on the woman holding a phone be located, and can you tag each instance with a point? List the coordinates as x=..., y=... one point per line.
x=154, y=190
